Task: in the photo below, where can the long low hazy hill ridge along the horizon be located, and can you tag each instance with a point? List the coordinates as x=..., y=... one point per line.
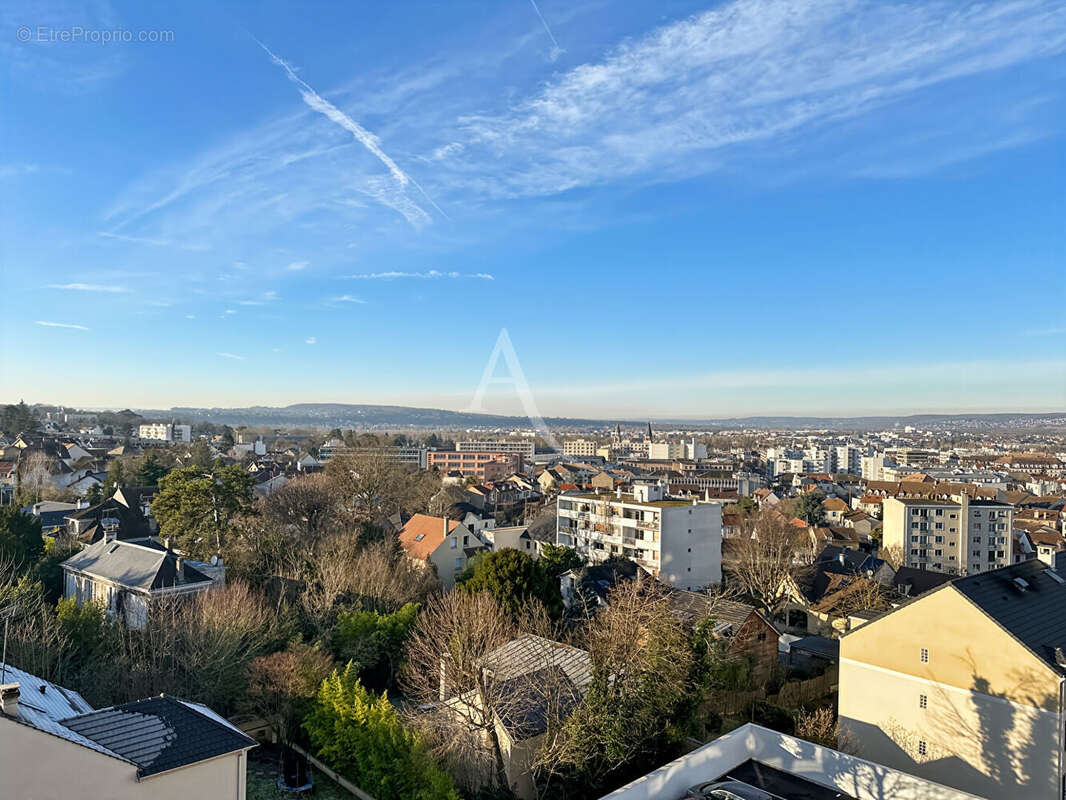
x=345, y=415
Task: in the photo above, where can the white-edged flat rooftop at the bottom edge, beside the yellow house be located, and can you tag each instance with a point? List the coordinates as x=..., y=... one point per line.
x=772, y=764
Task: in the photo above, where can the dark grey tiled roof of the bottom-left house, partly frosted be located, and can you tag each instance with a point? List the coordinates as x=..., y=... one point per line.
x=160, y=734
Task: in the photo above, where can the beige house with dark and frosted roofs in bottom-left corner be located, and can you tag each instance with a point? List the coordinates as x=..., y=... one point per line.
x=55, y=746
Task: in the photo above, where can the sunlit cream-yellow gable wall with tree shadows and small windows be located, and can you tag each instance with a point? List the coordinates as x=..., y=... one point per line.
x=992, y=723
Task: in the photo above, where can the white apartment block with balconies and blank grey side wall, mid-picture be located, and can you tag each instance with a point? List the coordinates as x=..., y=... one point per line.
x=679, y=541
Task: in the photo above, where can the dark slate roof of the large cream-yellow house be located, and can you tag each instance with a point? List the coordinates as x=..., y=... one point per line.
x=1035, y=615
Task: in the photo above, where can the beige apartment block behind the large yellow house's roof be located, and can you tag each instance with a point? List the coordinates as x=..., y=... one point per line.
x=961, y=536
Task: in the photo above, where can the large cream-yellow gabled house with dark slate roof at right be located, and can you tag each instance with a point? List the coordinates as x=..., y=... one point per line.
x=966, y=684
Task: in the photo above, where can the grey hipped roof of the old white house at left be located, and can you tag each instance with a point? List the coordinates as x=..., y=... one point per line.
x=142, y=565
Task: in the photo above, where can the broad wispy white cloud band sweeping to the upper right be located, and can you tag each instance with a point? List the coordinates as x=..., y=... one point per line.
x=682, y=100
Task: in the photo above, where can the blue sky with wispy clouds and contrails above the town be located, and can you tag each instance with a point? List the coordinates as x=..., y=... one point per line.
x=675, y=209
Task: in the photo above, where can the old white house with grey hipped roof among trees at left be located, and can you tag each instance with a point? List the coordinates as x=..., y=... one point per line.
x=130, y=578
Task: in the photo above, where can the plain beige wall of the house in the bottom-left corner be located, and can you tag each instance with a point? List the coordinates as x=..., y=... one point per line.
x=39, y=766
